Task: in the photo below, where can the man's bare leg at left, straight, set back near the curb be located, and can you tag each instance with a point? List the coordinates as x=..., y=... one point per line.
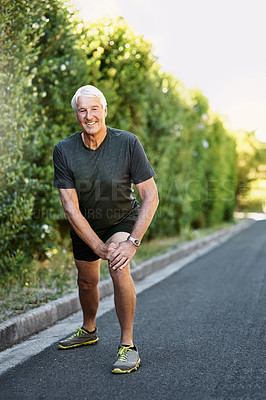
x=88, y=279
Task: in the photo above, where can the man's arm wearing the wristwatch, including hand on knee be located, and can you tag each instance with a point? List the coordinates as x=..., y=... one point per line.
x=126, y=250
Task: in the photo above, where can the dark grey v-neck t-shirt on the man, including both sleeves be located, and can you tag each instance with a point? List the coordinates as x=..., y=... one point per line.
x=103, y=177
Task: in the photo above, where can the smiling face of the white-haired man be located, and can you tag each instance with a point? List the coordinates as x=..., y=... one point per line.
x=91, y=115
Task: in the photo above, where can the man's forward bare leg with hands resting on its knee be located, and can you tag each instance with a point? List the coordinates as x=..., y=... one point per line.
x=124, y=296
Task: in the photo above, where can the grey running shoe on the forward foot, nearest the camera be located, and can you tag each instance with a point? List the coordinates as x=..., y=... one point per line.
x=127, y=360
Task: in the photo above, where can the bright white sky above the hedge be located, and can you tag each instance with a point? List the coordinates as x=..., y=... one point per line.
x=215, y=45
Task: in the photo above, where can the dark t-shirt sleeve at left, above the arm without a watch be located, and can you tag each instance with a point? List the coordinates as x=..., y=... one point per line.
x=63, y=178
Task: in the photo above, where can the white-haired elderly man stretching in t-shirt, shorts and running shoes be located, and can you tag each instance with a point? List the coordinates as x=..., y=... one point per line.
x=94, y=171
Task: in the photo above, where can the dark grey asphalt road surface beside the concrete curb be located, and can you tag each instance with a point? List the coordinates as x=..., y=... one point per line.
x=200, y=333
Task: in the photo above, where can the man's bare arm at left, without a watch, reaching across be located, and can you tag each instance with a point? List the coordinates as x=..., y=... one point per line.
x=81, y=226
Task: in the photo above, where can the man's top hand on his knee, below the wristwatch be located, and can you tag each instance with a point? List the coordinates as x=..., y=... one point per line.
x=122, y=255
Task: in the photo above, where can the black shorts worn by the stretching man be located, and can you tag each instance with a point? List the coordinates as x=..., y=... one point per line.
x=83, y=252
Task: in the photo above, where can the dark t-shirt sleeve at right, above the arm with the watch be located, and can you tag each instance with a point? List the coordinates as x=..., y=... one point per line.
x=140, y=167
